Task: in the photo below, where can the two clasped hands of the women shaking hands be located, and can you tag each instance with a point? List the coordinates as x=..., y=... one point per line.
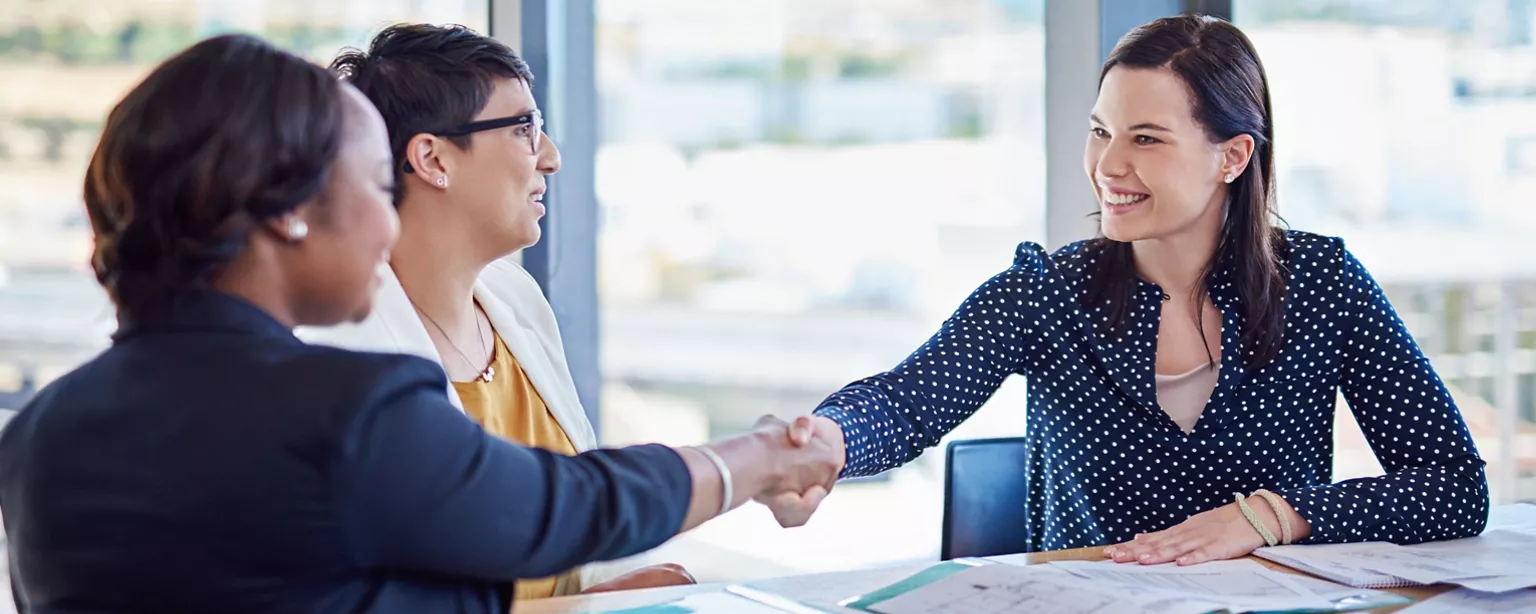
x=786, y=466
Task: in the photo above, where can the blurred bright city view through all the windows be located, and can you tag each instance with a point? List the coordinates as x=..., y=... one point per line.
x=796, y=193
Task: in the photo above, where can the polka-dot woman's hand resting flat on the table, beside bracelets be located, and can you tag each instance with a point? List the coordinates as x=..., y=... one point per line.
x=1217, y=535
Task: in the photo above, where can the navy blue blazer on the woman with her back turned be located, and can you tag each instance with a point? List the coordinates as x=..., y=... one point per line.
x=214, y=463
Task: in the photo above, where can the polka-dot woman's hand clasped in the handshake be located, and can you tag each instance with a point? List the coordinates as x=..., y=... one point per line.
x=812, y=458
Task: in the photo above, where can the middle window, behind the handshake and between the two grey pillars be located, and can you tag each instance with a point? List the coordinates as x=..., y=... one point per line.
x=795, y=196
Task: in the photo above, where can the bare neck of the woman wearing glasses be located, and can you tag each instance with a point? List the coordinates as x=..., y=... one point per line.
x=439, y=274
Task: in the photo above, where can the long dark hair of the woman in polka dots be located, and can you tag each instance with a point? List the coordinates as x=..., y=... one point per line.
x=1231, y=97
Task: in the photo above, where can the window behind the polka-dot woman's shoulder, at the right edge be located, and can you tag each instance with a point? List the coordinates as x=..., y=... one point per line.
x=1408, y=128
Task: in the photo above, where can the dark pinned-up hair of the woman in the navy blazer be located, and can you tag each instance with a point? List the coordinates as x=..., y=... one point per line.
x=219, y=139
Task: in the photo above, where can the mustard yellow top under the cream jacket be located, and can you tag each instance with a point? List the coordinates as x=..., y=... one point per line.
x=512, y=409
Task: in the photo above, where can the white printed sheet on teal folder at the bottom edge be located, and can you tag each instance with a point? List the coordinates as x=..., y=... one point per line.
x=1018, y=590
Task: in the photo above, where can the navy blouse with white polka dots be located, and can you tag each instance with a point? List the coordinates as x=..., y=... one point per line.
x=1107, y=463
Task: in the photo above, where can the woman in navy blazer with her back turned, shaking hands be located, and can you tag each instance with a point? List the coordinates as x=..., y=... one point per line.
x=210, y=461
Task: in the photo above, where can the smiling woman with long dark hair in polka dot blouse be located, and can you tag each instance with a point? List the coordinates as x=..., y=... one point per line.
x=1191, y=354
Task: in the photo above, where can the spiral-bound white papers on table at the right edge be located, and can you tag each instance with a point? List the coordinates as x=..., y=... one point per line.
x=1494, y=563
